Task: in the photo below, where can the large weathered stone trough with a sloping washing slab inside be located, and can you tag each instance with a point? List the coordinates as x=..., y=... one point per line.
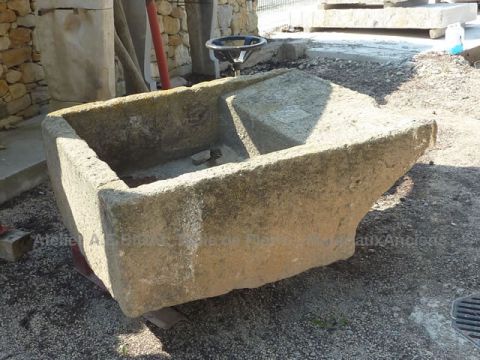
x=193, y=192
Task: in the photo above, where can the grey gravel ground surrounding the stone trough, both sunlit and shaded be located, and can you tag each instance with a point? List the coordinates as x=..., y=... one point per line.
x=417, y=250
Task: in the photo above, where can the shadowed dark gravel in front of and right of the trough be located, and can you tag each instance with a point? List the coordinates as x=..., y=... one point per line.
x=391, y=300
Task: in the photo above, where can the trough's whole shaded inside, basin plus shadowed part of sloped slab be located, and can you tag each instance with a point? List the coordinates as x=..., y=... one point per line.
x=158, y=136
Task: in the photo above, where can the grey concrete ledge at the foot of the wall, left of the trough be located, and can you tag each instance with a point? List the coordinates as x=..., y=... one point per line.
x=22, y=163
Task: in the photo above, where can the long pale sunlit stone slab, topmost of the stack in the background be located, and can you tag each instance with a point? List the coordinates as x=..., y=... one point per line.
x=431, y=16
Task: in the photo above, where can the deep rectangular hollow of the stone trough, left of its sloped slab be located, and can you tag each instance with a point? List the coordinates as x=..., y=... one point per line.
x=152, y=137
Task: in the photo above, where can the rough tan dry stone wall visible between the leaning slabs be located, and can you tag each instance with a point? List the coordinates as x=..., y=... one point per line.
x=23, y=88
